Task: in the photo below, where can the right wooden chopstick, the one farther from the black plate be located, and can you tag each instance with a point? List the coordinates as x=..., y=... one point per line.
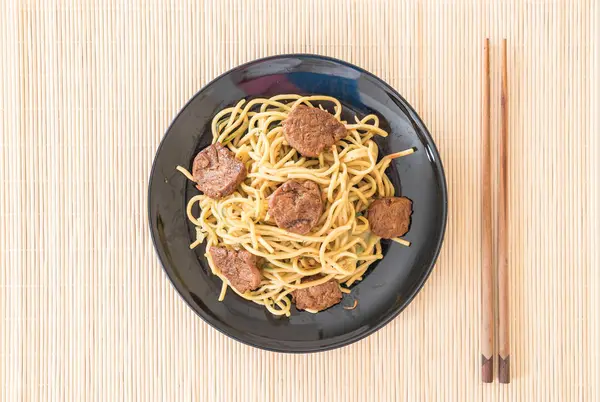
x=503, y=313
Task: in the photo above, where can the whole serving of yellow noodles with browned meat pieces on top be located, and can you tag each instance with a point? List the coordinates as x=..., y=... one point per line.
x=295, y=201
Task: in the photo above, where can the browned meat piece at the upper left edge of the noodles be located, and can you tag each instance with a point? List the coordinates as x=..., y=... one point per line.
x=216, y=171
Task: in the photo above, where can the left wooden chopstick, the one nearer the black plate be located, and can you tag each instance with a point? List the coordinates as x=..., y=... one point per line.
x=487, y=307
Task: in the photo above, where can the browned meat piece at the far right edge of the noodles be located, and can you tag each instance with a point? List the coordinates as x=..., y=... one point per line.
x=390, y=217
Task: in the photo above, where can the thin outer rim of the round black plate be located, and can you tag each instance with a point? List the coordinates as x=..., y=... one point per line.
x=386, y=319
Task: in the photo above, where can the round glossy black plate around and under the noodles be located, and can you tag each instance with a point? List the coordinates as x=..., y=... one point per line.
x=388, y=287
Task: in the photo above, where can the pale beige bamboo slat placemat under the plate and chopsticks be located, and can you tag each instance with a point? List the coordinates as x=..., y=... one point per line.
x=89, y=87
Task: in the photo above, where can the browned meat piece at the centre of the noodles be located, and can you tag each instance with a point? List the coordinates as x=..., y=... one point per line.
x=296, y=206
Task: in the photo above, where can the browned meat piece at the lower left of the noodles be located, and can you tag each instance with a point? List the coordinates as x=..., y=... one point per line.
x=240, y=267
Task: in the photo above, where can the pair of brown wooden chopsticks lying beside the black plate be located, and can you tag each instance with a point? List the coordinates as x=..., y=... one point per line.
x=487, y=271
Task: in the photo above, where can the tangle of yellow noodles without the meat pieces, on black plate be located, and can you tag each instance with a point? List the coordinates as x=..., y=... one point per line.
x=340, y=246
